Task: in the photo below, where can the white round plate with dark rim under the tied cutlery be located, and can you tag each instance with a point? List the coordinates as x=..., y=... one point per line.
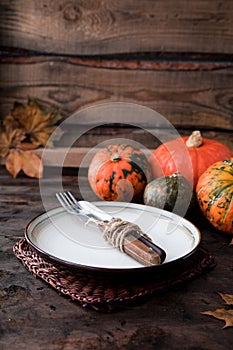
x=64, y=238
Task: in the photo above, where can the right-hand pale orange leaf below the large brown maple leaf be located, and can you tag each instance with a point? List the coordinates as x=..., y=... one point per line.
x=32, y=164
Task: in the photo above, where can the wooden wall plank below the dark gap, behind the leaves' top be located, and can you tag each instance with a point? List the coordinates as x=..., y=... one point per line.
x=186, y=98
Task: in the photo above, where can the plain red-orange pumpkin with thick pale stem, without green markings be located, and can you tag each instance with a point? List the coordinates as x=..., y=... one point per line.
x=189, y=155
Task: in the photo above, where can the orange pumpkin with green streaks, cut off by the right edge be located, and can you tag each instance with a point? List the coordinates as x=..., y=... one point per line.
x=215, y=195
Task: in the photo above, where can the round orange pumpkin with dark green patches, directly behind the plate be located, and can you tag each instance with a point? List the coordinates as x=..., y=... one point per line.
x=119, y=172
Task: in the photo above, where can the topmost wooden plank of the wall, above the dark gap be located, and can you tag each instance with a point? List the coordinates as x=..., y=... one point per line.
x=109, y=27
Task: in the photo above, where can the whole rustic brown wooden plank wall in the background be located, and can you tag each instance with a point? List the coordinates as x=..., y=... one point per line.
x=173, y=56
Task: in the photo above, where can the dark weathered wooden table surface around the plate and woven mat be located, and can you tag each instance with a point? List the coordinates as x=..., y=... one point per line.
x=34, y=316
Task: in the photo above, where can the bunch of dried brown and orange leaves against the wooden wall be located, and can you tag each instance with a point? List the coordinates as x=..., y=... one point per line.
x=27, y=128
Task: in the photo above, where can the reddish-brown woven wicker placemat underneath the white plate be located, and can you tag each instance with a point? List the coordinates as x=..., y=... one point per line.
x=106, y=295
